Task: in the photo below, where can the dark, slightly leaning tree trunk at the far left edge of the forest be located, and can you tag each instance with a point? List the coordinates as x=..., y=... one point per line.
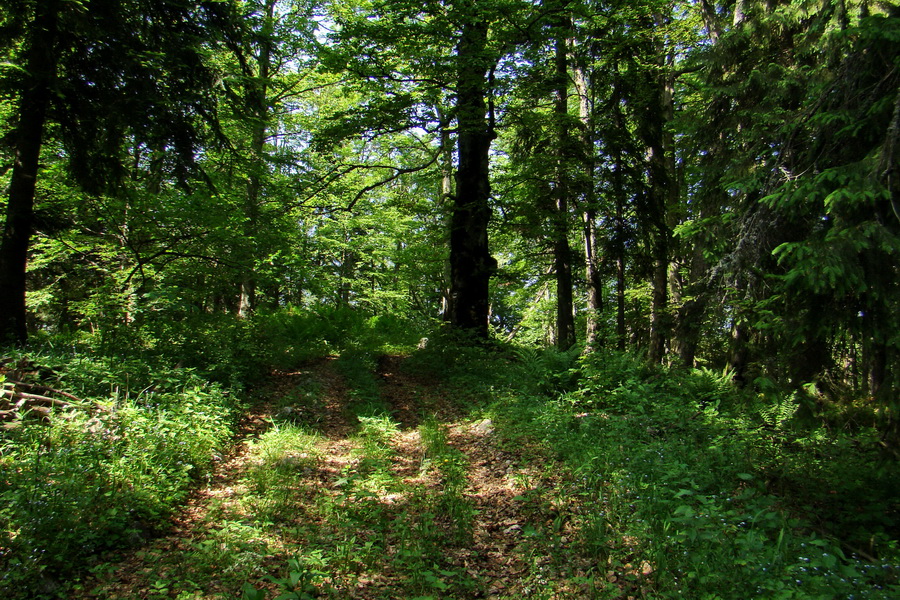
x=40, y=66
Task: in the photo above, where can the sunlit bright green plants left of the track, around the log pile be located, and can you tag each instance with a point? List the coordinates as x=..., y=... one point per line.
x=103, y=474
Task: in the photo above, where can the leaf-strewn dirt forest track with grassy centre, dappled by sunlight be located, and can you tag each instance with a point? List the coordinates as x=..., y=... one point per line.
x=365, y=486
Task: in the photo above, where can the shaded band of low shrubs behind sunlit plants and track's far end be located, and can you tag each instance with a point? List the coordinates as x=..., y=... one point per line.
x=225, y=348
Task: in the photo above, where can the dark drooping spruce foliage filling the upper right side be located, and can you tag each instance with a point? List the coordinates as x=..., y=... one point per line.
x=799, y=187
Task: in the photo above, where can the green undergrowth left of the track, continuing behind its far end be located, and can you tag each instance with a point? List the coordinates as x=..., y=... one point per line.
x=161, y=398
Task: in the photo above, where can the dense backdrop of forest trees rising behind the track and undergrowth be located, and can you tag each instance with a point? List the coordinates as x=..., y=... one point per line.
x=218, y=187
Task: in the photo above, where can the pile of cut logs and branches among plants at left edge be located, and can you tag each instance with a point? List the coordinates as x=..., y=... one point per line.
x=23, y=393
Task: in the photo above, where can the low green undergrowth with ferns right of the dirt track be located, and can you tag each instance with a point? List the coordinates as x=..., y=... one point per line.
x=716, y=492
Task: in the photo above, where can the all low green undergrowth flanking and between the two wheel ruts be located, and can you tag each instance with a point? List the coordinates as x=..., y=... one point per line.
x=685, y=487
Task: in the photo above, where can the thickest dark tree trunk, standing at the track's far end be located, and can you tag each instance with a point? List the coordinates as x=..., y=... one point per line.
x=471, y=264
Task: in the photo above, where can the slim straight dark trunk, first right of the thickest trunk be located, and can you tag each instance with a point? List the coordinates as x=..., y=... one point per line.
x=562, y=252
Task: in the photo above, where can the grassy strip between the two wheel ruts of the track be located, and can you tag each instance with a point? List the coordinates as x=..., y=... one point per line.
x=371, y=520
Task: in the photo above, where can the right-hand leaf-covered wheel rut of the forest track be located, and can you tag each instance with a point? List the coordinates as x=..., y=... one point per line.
x=517, y=508
